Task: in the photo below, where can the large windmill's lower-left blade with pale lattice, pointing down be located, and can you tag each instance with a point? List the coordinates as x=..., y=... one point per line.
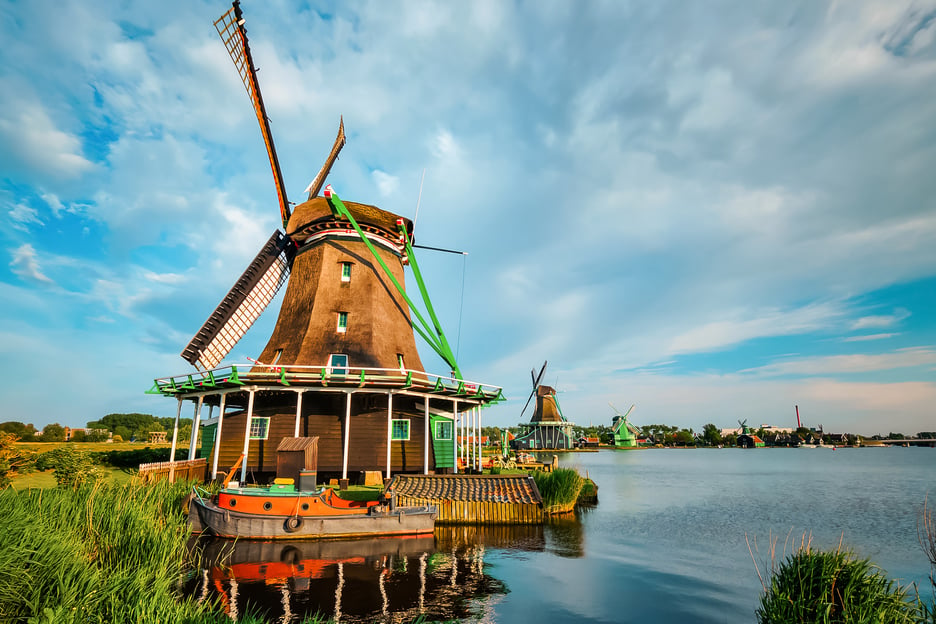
x=243, y=304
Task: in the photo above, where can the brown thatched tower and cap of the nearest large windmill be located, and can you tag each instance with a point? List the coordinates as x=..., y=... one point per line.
x=379, y=329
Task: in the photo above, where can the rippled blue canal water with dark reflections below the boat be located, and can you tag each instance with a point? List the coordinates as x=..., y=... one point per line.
x=667, y=542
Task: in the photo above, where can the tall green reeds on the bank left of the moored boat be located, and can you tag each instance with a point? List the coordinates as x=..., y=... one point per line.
x=99, y=552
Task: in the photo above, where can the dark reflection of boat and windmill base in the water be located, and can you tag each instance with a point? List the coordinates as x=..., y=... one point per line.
x=393, y=579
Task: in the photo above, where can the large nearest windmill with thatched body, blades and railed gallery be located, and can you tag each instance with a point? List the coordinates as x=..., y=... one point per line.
x=344, y=337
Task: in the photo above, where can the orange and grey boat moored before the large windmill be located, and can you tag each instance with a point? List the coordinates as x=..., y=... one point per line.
x=281, y=511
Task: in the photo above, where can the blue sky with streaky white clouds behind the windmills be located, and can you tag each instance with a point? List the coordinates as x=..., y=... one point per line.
x=714, y=211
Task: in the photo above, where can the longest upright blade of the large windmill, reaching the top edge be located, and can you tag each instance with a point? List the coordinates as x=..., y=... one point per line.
x=230, y=27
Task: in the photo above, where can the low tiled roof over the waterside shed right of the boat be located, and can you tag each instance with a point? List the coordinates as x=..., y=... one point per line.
x=473, y=488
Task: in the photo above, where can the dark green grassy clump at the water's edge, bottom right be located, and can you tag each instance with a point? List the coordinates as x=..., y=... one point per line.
x=830, y=587
